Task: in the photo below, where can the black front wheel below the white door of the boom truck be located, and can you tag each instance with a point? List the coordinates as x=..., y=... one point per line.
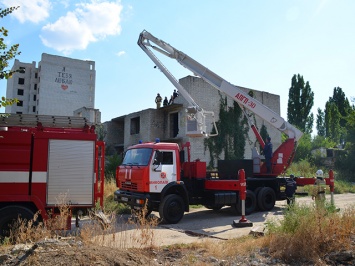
x=171, y=209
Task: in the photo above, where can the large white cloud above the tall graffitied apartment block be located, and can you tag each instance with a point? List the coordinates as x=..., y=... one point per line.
x=89, y=22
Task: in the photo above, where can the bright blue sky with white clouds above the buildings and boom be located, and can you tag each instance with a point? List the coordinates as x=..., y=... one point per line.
x=255, y=44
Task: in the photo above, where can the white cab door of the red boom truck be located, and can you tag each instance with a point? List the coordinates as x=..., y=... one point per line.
x=162, y=170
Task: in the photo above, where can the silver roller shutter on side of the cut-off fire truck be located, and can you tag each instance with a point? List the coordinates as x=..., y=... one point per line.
x=70, y=172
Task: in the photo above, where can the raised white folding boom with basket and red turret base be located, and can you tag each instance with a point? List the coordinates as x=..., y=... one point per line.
x=284, y=154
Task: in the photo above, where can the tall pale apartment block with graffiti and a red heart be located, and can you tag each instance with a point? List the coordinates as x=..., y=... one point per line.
x=58, y=86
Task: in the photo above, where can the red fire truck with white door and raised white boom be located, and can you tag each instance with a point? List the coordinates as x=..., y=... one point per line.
x=156, y=175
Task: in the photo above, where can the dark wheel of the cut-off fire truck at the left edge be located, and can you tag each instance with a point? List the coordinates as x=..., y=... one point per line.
x=10, y=214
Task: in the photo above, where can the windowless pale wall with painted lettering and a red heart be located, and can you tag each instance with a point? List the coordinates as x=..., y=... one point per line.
x=65, y=85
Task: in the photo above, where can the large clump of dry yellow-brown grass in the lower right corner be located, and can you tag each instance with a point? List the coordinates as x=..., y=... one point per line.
x=310, y=232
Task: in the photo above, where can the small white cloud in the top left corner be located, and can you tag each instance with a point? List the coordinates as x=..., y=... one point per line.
x=33, y=10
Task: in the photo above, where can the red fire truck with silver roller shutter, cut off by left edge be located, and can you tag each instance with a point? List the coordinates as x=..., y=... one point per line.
x=46, y=161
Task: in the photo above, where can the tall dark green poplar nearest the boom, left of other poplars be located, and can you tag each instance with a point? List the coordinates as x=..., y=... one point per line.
x=300, y=103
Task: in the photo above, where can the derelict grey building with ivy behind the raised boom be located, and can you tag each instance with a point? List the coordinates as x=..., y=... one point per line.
x=169, y=123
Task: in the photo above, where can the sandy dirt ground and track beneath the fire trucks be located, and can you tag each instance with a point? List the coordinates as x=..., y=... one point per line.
x=75, y=251
